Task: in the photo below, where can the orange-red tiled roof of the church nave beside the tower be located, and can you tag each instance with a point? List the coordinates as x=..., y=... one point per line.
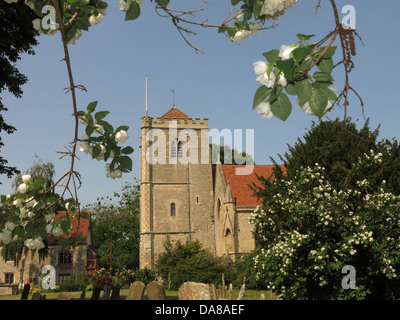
x=239, y=184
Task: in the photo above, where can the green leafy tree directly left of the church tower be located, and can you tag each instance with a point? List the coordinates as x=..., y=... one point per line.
x=116, y=221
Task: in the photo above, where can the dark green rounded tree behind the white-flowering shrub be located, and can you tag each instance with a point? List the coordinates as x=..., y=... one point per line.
x=336, y=145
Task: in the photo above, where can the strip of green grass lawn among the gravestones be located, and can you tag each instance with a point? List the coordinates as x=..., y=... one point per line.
x=171, y=295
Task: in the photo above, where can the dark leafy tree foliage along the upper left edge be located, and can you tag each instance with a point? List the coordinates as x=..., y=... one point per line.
x=17, y=36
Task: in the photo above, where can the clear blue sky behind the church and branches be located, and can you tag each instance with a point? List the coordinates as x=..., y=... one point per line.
x=113, y=58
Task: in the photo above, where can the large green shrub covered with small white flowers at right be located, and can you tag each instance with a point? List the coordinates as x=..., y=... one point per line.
x=309, y=231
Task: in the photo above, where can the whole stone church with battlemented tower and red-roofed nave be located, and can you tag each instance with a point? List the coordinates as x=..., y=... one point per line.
x=185, y=197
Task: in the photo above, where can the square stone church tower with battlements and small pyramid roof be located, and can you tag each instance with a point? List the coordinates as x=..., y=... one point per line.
x=176, y=182
